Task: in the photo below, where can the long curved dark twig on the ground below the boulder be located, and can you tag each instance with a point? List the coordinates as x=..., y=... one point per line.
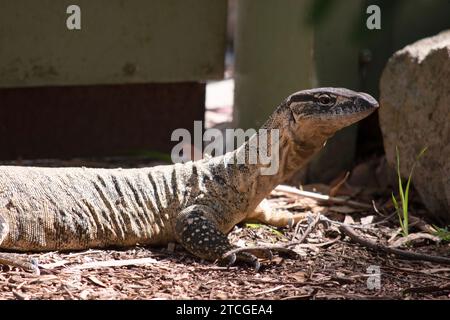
x=401, y=253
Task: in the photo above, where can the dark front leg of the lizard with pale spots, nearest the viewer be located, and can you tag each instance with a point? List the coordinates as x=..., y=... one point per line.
x=197, y=231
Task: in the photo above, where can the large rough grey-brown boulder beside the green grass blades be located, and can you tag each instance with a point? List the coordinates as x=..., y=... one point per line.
x=415, y=113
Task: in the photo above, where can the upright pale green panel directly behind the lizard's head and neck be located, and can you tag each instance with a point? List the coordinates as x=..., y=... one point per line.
x=273, y=57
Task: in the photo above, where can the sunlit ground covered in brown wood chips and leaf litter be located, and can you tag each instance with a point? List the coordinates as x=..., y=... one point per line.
x=328, y=264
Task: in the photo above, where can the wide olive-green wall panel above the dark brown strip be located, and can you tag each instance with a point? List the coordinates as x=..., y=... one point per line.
x=133, y=41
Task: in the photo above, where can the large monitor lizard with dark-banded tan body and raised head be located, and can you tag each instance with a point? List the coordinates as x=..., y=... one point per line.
x=194, y=204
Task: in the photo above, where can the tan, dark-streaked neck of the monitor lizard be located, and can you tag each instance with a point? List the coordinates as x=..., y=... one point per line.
x=267, y=159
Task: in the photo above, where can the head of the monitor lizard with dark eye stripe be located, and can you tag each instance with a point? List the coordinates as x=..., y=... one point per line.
x=317, y=114
